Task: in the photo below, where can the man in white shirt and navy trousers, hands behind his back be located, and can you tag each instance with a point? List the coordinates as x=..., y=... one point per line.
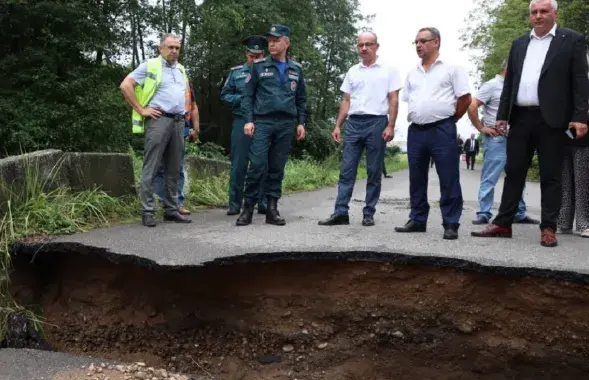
x=438, y=95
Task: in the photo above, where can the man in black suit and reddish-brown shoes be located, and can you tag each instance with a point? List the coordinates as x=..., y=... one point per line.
x=546, y=91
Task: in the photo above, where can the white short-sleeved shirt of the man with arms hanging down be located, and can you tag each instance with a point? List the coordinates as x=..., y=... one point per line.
x=369, y=86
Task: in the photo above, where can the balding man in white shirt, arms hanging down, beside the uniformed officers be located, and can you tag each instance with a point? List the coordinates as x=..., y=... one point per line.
x=371, y=103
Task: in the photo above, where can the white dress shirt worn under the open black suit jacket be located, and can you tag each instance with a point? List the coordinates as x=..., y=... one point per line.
x=527, y=94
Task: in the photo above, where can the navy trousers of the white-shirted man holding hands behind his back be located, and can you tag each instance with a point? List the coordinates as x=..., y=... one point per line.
x=437, y=140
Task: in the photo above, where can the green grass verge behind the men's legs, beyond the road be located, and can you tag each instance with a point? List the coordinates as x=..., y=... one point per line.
x=300, y=175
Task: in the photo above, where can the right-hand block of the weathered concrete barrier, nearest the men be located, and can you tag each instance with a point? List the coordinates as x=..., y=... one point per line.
x=109, y=172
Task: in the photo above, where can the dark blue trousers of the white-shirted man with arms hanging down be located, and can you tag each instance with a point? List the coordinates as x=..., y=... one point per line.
x=361, y=132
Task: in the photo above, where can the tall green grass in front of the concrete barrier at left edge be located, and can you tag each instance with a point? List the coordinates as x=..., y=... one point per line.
x=36, y=212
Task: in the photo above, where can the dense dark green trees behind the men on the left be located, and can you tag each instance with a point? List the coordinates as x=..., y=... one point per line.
x=66, y=59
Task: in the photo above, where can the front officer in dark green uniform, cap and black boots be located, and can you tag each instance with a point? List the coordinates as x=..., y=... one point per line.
x=275, y=97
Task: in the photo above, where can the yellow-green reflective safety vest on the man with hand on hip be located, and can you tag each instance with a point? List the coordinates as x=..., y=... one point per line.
x=150, y=84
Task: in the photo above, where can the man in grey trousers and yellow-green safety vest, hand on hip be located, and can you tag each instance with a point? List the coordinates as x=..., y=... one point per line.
x=160, y=104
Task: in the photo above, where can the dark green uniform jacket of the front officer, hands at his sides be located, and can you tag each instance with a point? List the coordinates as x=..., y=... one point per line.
x=266, y=95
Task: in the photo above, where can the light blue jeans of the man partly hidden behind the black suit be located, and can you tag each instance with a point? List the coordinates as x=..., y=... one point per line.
x=494, y=159
